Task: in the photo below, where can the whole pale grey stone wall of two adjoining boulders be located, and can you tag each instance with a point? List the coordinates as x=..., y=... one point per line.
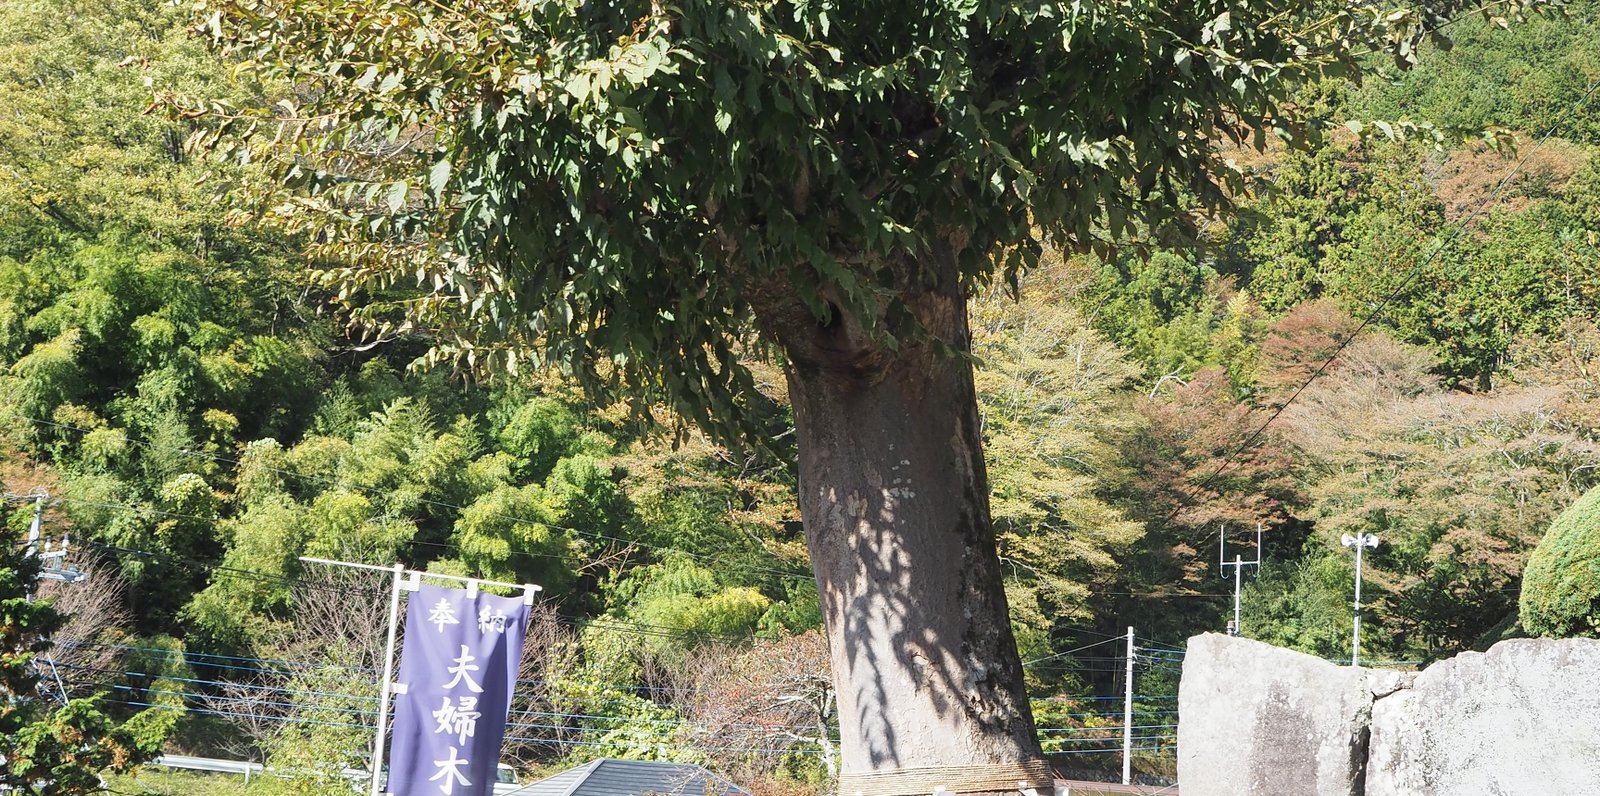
x=1521, y=720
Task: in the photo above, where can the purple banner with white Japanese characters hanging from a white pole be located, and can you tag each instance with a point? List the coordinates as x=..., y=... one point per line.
x=458, y=669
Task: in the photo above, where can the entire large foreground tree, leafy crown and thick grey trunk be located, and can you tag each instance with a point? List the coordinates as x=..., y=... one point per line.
x=646, y=194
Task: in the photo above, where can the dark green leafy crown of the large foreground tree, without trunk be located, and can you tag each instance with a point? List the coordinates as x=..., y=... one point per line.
x=852, y=140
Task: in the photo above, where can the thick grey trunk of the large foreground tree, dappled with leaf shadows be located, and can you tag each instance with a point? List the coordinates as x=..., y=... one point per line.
x=894, y=496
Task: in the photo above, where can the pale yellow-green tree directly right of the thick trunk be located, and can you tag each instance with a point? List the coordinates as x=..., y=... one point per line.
x=1049, y=391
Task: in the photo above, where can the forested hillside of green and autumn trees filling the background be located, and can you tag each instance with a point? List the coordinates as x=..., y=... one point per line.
x=1386, y=338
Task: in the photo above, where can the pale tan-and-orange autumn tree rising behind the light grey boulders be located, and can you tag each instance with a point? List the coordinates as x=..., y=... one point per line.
x=1458, y=487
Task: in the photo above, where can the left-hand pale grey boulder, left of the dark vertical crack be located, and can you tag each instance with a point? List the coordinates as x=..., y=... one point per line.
x=1262, y=720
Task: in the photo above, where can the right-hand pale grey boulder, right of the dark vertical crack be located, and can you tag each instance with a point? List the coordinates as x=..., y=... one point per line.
x=1522, y=720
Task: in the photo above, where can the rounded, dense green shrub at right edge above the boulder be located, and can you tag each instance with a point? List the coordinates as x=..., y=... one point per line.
x=1561, y=587
